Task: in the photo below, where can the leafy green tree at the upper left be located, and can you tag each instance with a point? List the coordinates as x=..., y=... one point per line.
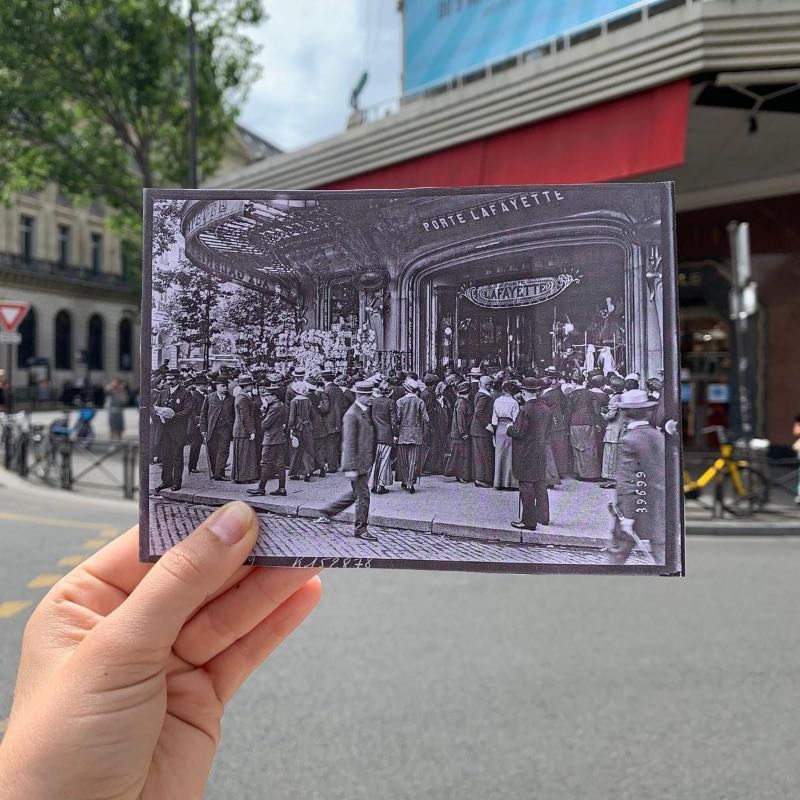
x=94, y=94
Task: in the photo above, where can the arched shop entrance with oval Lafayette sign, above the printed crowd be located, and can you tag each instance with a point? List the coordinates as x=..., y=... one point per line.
x=535, y=309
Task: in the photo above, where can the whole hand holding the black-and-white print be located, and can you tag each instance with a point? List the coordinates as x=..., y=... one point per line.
x=126, y=667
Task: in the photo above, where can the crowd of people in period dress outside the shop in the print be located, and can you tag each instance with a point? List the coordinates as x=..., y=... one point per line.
x=501, y=429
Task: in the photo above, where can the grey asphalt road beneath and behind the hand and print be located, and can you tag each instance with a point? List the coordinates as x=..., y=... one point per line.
x=423, y=684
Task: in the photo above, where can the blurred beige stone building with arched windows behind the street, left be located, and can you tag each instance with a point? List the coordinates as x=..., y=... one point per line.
x=79, y=278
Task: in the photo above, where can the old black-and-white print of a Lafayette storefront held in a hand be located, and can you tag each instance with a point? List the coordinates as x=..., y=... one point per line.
x=473, y=379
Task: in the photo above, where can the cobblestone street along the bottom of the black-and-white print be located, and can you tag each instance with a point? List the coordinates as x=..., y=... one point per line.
x=301, y=538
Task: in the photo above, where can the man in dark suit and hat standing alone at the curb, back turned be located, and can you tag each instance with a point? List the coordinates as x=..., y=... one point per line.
x=529, y=455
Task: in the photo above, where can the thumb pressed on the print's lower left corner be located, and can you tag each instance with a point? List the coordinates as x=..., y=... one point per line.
x=186, y=575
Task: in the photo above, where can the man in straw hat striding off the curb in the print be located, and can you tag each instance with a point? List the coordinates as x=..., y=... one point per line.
x=358, y=455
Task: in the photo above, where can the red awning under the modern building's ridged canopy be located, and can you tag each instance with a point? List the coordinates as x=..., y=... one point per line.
x=629, y=136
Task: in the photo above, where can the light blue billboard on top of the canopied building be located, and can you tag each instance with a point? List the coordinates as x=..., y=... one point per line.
x=447, y=38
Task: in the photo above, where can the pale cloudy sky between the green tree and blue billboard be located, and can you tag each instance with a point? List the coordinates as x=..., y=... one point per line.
x=313, y=53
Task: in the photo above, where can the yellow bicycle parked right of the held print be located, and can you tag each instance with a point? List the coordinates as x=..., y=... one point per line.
x=739, y=488
